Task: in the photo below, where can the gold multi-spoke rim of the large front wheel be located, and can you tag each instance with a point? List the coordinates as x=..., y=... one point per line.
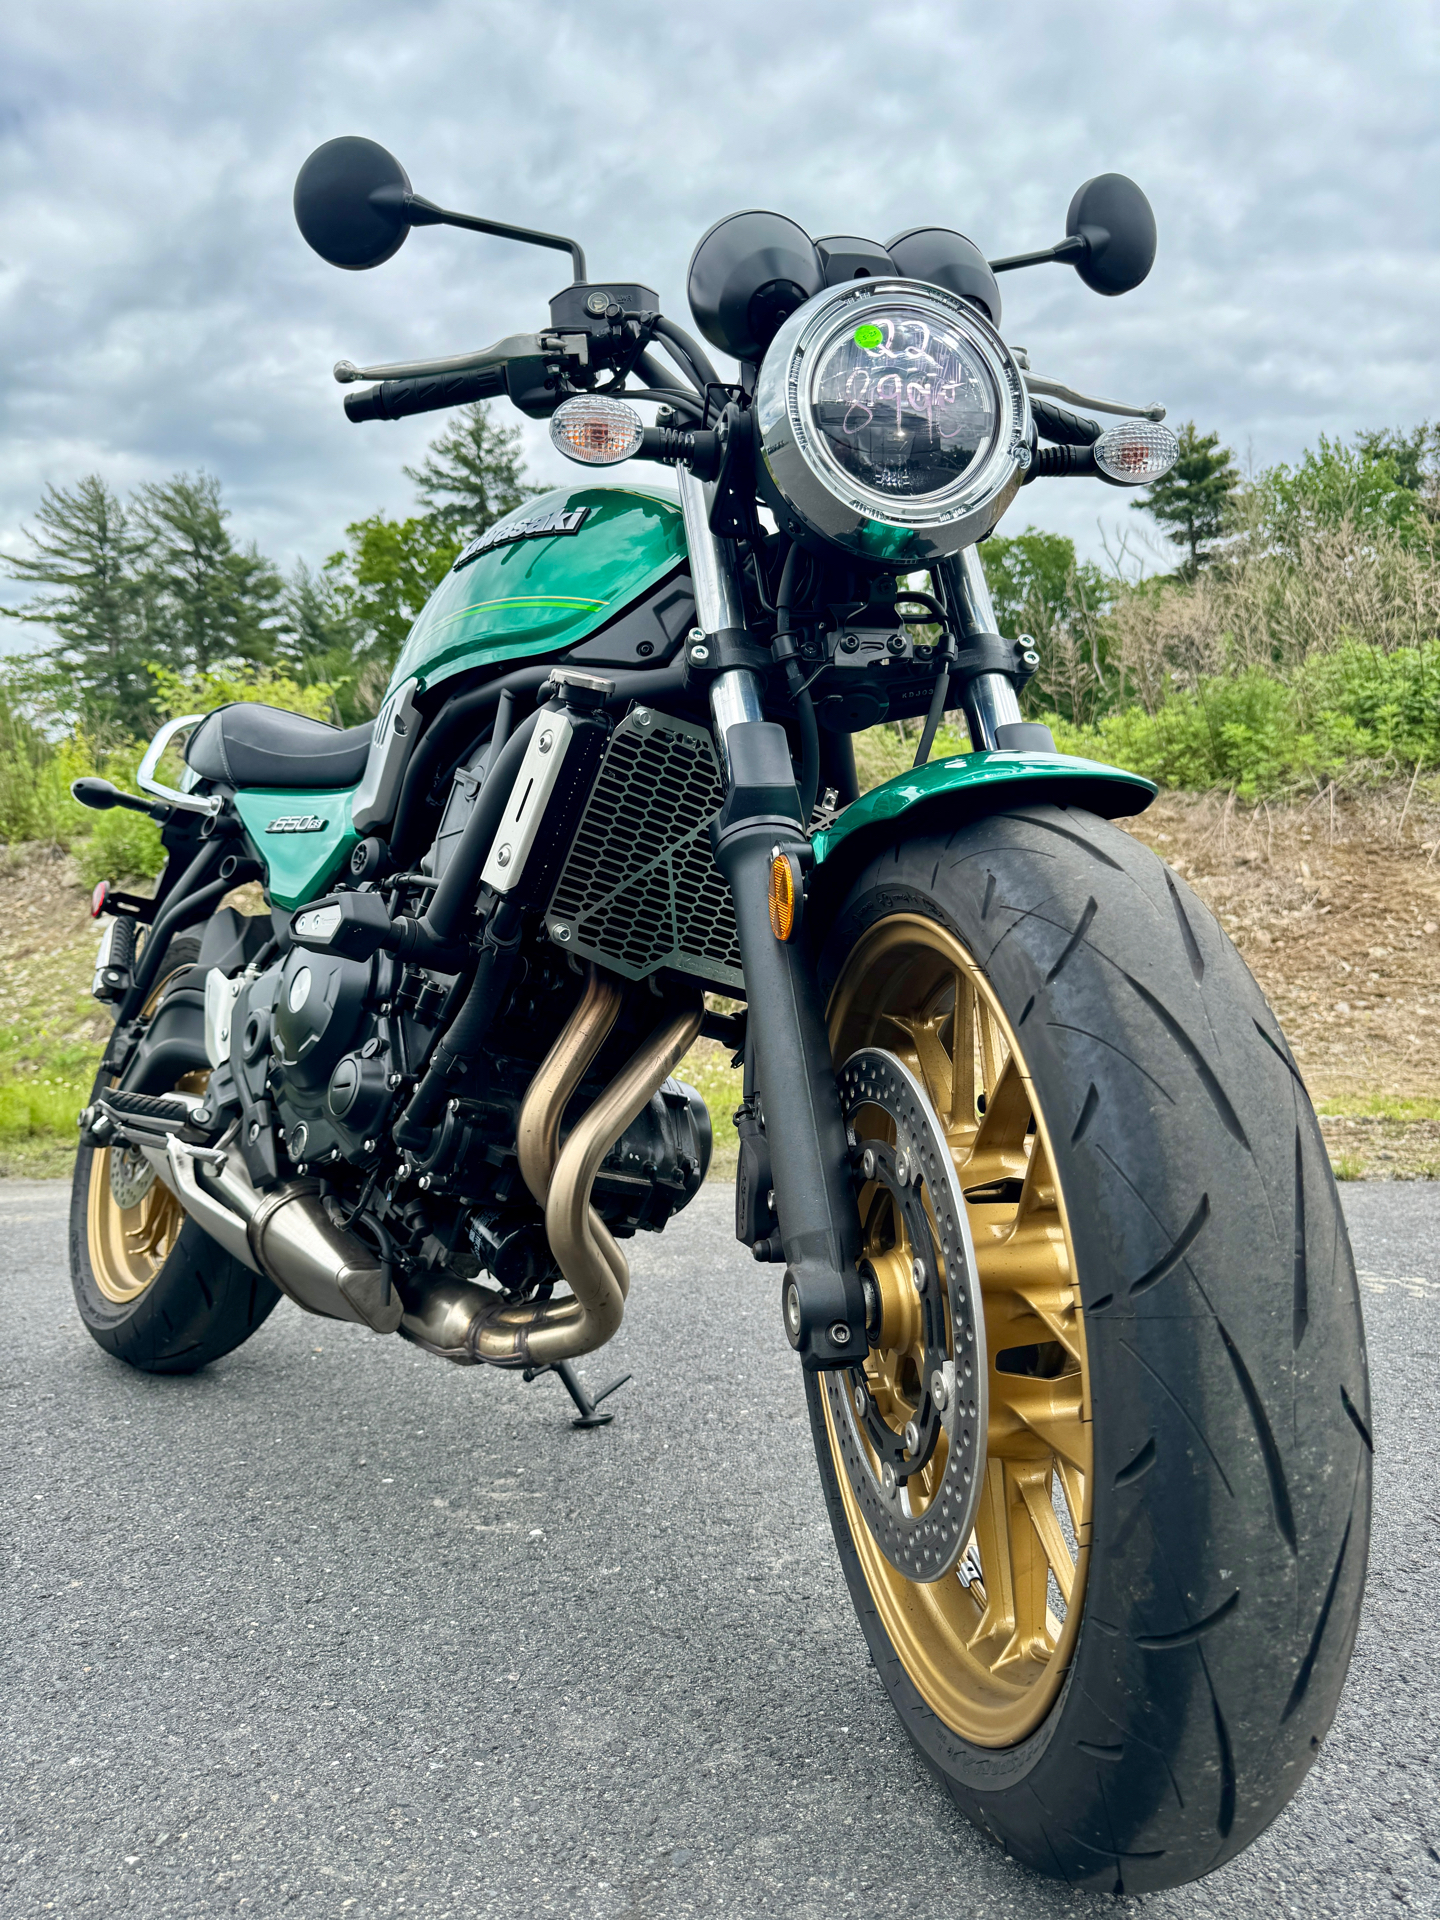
x=989, y=1645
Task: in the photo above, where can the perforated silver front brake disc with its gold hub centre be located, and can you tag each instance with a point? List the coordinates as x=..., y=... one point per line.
x=917, y=1486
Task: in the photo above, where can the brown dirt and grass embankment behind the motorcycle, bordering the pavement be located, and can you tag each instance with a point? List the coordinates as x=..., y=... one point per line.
x=1332, y=904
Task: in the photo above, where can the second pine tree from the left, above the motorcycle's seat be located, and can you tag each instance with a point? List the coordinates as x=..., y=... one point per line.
x=216, y=602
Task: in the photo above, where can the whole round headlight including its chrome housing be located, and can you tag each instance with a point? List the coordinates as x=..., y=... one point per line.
x=892, y=420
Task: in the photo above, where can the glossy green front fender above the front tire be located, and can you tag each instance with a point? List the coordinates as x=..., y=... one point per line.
x=946, y=794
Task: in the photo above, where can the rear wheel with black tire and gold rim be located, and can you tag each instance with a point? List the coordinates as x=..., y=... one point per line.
x=151, y=1284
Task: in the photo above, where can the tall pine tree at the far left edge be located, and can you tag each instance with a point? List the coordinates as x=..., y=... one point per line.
x=89, y=554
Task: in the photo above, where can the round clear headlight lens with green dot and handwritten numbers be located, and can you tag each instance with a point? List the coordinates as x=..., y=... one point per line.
x=904, y=404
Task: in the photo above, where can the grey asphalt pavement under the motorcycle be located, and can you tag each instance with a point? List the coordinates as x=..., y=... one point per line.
x=337, y=1630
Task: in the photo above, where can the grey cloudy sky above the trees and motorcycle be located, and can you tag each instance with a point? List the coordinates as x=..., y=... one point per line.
x=160, y=310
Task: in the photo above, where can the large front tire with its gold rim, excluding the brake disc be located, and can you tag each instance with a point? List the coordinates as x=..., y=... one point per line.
x=1144, y=1649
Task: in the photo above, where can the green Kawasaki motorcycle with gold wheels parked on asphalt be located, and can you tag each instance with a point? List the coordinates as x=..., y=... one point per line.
x=1056, y=1234
